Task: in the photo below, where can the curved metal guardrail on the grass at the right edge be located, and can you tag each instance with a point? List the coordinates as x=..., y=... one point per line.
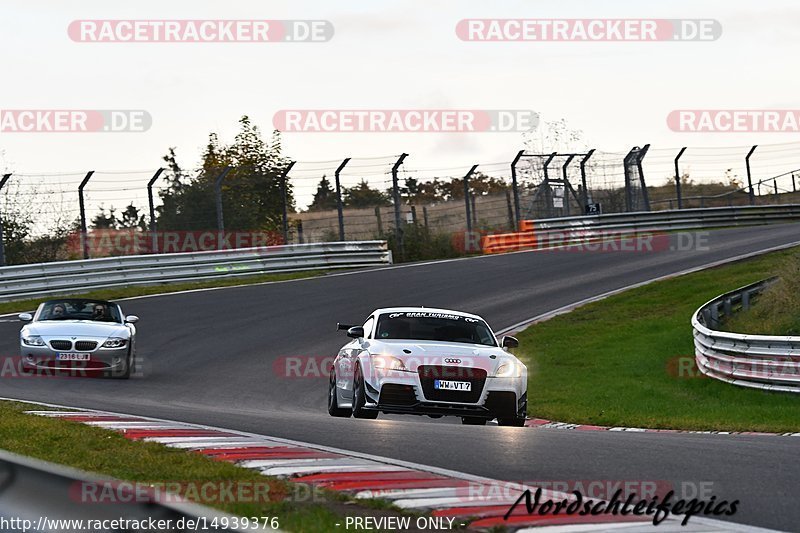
x=757, y=361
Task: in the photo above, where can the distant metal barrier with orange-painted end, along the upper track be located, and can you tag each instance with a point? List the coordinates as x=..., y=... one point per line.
x=551, y=232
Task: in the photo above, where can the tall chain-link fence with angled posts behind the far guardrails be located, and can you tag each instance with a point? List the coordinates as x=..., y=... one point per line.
x=421, y=210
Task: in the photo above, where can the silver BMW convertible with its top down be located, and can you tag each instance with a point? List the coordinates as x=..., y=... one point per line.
x=79, y=334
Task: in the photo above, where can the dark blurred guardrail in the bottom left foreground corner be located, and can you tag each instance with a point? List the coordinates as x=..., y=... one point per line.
x=41, y=496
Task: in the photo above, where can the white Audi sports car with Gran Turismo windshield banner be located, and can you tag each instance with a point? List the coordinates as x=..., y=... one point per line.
x=431, y=362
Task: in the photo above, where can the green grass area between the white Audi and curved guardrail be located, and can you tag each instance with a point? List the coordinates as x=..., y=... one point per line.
x=629, y=361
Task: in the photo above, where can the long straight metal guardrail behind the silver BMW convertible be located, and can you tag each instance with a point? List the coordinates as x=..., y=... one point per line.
x=66, y=277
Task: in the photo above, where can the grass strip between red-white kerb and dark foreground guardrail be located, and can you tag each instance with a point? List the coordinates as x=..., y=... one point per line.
x=298, y=507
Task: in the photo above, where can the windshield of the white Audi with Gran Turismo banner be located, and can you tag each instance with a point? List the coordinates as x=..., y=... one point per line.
x=432, y=326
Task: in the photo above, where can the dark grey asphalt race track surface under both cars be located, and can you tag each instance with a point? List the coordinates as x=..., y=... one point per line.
x=215, y=357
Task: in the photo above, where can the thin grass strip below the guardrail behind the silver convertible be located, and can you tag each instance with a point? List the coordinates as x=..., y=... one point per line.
x=128, y=292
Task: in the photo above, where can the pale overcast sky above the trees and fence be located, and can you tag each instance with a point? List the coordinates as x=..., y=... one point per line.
x=387, y=55
